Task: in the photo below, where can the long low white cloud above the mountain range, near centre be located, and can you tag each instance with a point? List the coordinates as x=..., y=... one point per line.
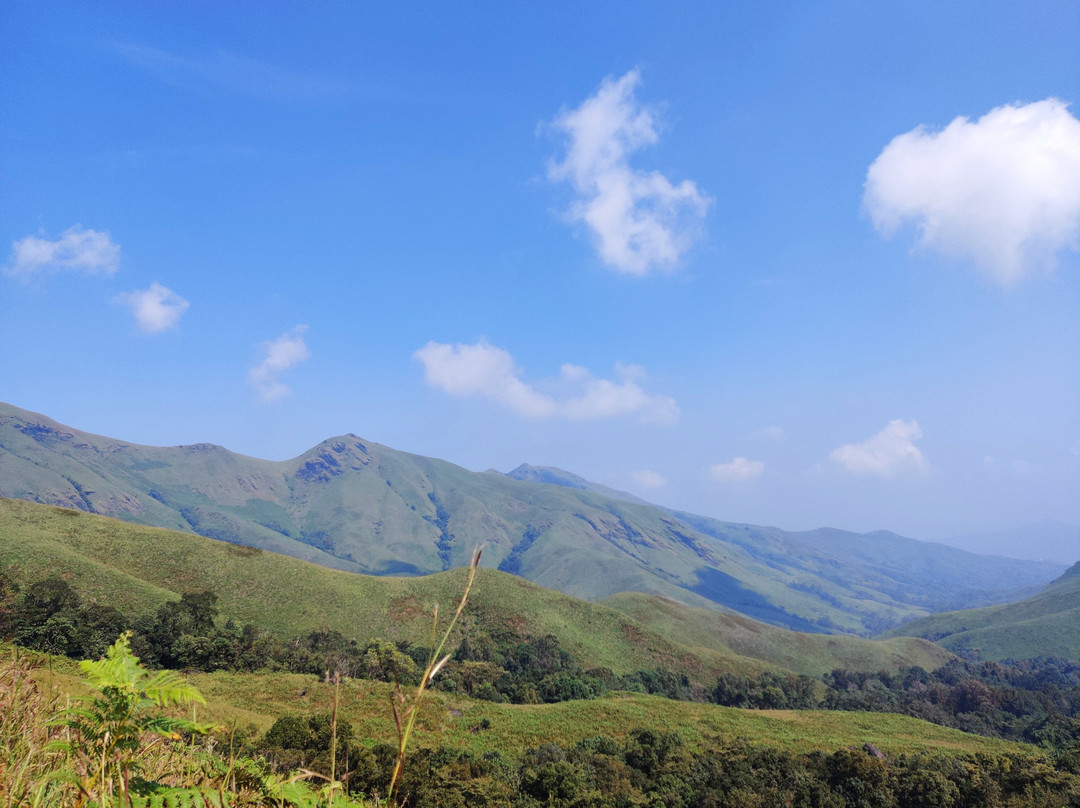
x=491, y=372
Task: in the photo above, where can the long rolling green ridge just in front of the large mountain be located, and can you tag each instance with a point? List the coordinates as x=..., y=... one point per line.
x=137, y=569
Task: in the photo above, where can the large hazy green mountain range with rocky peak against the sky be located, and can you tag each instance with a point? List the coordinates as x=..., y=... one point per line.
x=355, y=505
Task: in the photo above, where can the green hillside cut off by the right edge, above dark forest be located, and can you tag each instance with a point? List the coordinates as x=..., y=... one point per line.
x=1047, y=625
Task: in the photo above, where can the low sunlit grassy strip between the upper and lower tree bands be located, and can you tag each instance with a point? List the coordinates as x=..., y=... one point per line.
x=258, y=701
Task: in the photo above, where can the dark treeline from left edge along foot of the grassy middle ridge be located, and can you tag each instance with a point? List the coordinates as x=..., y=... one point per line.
x=187, y=636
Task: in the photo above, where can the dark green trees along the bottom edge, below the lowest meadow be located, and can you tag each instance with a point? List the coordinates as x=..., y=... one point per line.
x=654, y=769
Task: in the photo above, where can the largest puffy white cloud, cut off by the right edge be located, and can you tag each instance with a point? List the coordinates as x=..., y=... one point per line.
x=1004, y=191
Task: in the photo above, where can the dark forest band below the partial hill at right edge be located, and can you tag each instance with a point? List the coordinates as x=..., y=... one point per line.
x=1037, y=701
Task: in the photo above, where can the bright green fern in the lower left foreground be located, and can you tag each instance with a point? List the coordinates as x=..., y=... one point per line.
x=104, y=733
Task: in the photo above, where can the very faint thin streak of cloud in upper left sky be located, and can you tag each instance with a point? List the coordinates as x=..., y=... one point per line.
x=228, y=72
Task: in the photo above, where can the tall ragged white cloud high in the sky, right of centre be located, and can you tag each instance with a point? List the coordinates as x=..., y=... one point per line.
x=641, y=221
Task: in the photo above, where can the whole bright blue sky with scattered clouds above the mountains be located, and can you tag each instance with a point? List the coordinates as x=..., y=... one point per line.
x=800, y=265
